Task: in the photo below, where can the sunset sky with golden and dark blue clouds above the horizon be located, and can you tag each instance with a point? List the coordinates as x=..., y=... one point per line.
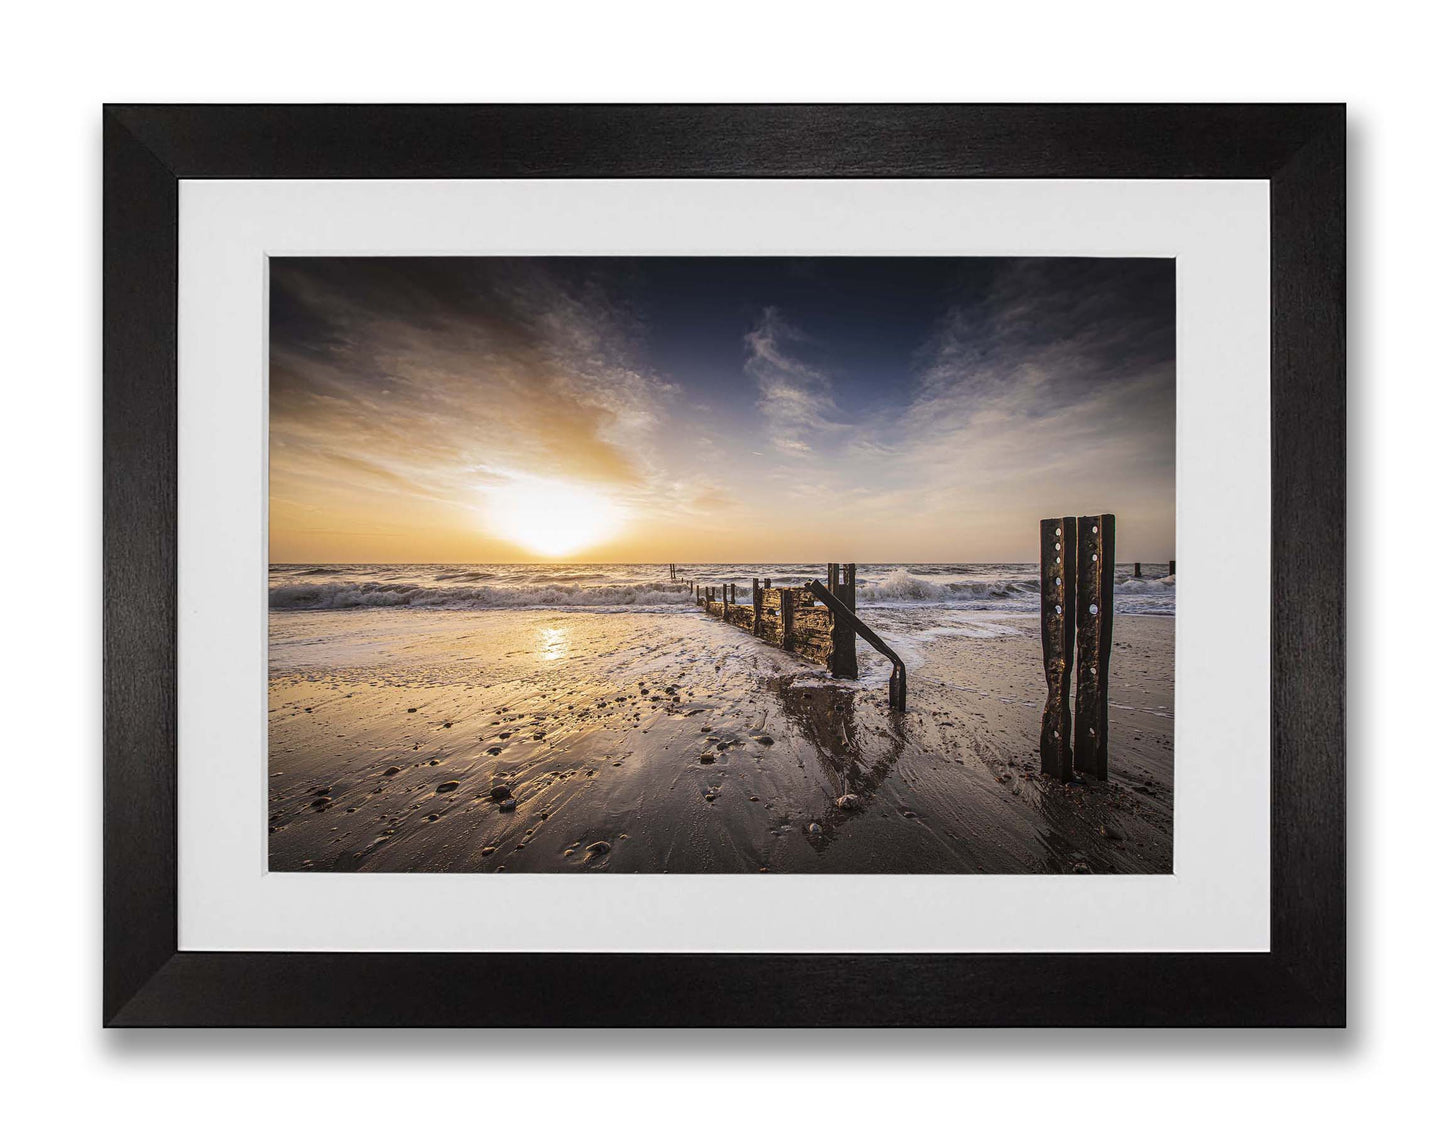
x=606, y=410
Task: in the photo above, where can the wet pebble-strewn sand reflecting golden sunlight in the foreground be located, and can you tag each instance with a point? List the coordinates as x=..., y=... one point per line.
x=577, y=742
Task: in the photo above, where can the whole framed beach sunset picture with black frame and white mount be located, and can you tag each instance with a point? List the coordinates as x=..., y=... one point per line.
x=598, y=566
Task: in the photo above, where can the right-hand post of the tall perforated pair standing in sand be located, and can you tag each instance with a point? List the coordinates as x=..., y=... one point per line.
x=1095, y=625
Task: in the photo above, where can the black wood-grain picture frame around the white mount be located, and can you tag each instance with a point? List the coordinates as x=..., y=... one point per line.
x=1300, y=150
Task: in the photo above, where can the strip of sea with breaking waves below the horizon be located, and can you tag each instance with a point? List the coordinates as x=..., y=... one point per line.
x=648, y=587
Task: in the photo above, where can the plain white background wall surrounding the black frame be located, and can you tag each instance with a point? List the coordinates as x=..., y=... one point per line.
x=64, y=61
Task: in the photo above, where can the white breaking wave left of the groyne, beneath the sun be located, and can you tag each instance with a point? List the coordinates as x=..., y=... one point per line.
x=343, y=596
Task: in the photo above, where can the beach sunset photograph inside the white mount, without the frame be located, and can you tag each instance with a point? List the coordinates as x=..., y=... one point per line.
x=722, y=566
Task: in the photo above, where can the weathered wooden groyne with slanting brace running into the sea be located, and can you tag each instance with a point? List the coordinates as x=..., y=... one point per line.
x=819, y=622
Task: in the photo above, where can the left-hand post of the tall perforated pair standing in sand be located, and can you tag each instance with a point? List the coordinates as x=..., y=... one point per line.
x=1057, y=593
